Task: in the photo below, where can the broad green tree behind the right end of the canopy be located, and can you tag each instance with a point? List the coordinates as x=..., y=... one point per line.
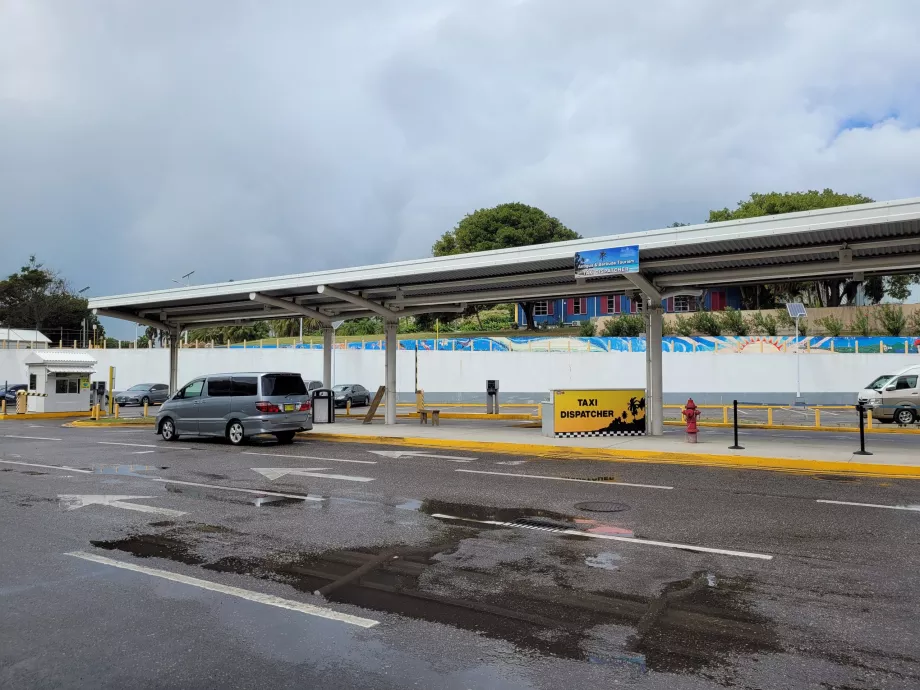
x=830, y=292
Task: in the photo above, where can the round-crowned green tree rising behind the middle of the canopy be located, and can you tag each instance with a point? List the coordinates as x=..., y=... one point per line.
x=501, y=227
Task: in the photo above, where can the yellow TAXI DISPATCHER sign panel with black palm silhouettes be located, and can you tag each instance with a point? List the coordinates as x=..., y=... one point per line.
x=599, y=412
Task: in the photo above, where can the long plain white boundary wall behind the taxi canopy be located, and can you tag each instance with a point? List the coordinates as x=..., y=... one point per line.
x=709, y=377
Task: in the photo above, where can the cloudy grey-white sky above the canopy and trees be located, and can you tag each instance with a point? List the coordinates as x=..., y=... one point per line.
x=140, y=140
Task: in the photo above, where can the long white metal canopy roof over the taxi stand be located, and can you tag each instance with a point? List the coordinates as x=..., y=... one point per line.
x=877, y=238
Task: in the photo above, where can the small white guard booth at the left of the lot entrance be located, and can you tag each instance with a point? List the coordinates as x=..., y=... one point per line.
x=59, y=381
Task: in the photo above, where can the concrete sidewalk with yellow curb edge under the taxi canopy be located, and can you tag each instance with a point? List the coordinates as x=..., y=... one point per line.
x=808, y=455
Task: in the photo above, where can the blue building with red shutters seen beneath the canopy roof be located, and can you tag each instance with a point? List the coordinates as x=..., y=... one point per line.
x=577, y=309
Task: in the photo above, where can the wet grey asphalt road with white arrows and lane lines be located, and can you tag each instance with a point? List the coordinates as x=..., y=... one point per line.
x=477, y=575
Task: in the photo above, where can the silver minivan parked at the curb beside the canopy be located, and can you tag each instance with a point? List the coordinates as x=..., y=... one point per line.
x=237, y=406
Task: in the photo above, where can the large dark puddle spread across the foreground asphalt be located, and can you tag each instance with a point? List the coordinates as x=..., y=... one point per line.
x=700, y=625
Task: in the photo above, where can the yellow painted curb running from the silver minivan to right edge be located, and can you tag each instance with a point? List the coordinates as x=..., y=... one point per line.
x=639, y=456
